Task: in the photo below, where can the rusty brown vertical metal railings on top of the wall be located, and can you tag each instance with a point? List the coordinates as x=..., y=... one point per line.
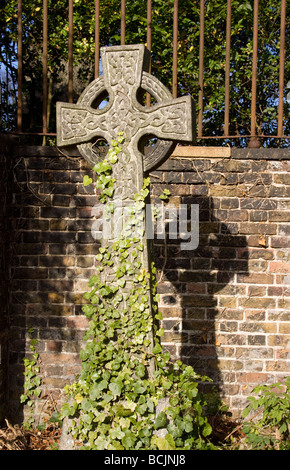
x=227, y=77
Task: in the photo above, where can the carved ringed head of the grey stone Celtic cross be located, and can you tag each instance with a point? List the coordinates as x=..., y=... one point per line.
x=125, y=75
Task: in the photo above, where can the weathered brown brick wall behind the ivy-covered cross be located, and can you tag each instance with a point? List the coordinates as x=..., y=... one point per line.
x=225, y=305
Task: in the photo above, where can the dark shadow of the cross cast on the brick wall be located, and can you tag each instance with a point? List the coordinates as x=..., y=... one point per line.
x=198, y=291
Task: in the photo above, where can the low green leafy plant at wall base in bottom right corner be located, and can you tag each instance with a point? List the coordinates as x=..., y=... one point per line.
x=271, y=431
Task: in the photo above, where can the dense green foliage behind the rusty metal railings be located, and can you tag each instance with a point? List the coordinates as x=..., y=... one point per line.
x=162, y=33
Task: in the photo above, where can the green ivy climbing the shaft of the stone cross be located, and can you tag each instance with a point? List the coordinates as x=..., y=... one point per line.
x=125, y=371
